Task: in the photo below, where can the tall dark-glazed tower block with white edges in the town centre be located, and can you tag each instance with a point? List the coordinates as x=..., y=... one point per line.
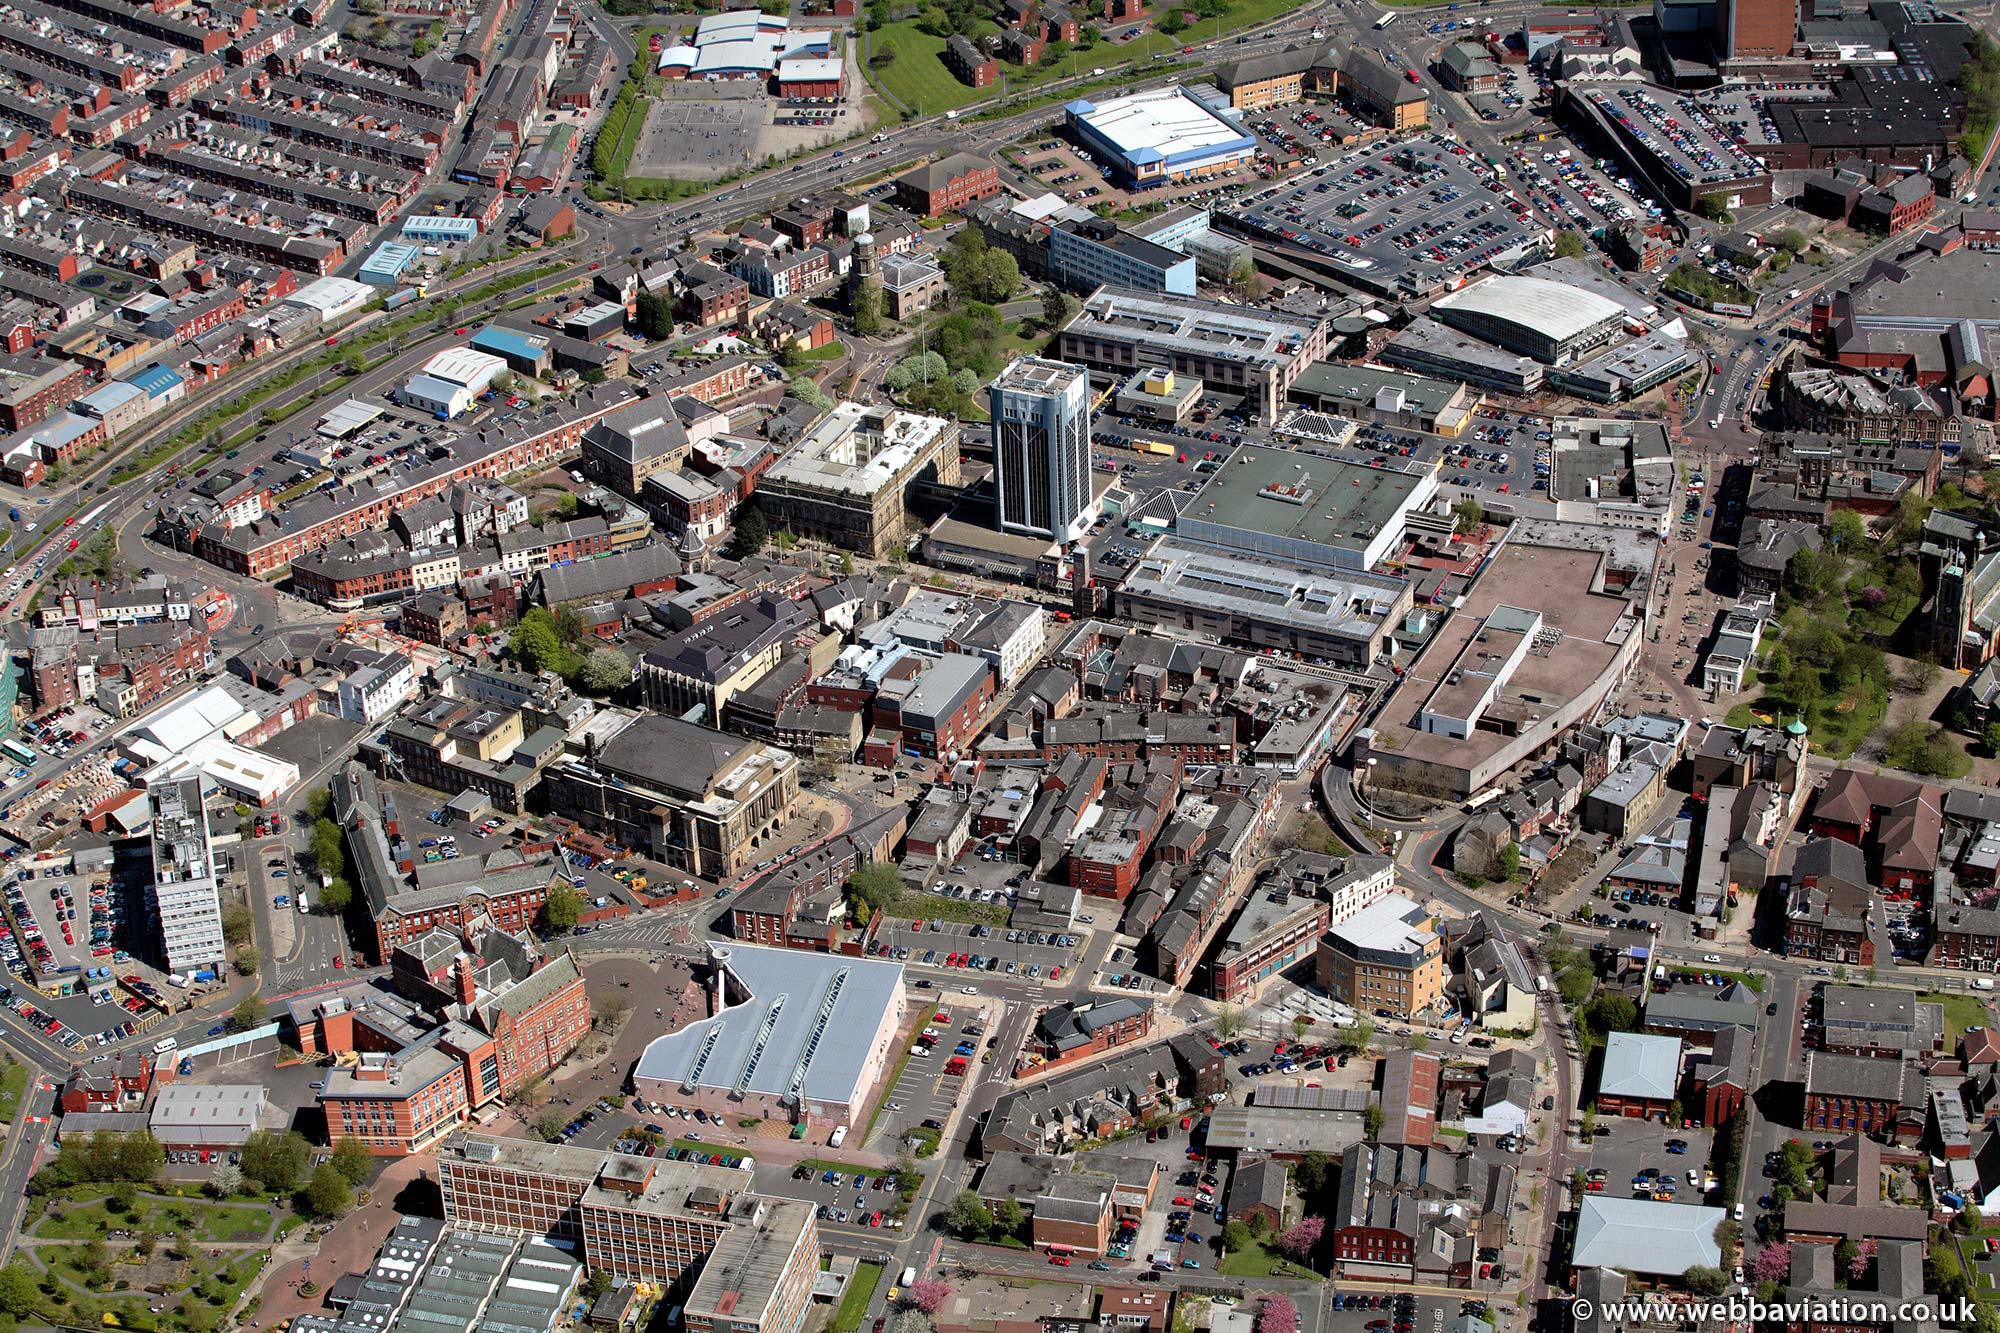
x=1041, y=417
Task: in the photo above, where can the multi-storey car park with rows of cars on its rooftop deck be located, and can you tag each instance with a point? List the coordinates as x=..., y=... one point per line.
x=1677, y=147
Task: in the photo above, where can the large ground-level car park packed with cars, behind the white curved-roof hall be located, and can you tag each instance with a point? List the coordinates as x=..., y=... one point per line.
x=1399, y=221
